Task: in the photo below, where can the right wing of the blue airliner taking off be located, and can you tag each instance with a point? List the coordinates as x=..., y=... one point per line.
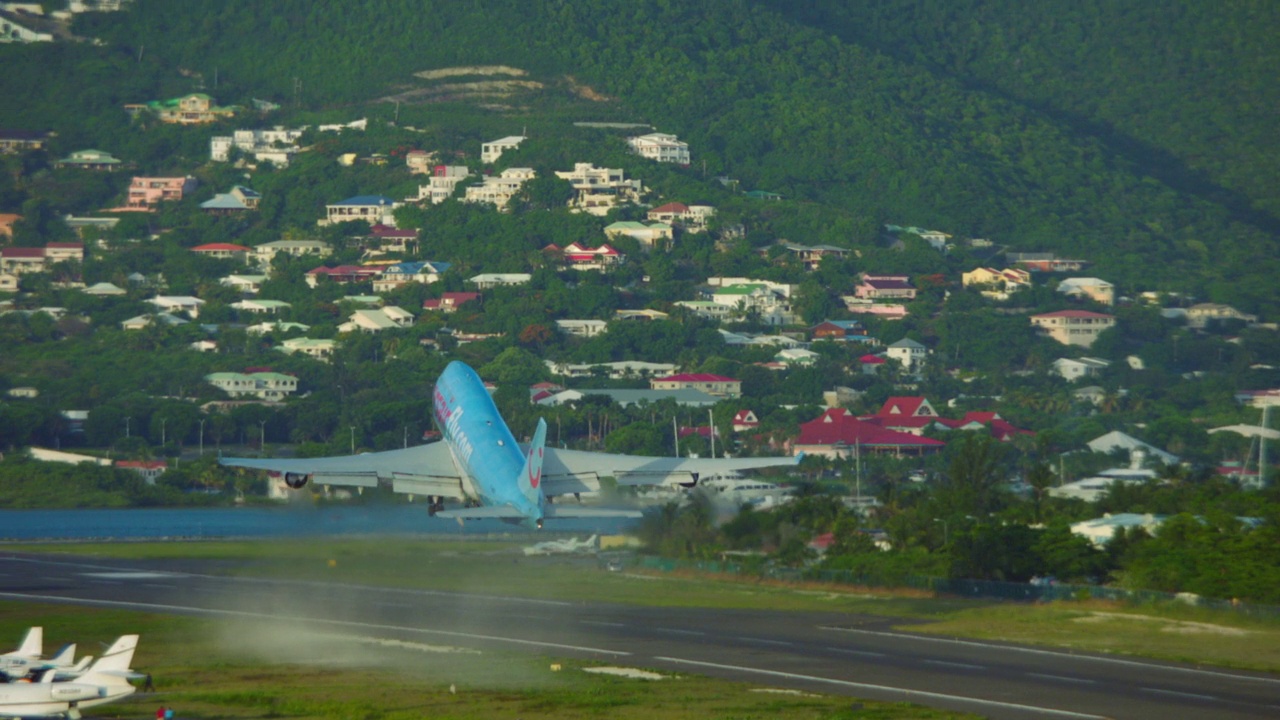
x=570, y=466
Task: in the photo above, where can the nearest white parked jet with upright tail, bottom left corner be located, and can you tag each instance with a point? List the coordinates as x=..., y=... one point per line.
x=107, y=681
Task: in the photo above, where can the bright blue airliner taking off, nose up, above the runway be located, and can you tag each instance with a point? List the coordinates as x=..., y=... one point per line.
x=479, y=461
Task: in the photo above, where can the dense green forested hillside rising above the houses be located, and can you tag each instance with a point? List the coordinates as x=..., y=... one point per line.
x=822, y=104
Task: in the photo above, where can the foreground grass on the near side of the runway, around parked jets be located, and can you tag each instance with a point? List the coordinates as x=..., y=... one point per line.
x=200, y=678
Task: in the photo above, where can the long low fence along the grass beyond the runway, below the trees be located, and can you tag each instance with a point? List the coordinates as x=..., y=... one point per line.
x=959, y=587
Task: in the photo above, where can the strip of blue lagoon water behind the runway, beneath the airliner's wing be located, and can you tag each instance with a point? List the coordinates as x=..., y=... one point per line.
x=258, y=523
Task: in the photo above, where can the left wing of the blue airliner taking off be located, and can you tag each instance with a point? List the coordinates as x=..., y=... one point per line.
x=424, y=470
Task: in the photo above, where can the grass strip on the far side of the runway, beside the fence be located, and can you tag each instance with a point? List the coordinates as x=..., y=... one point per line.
x=1172, y=632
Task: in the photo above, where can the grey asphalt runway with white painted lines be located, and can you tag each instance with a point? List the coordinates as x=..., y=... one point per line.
x=833, y=654
